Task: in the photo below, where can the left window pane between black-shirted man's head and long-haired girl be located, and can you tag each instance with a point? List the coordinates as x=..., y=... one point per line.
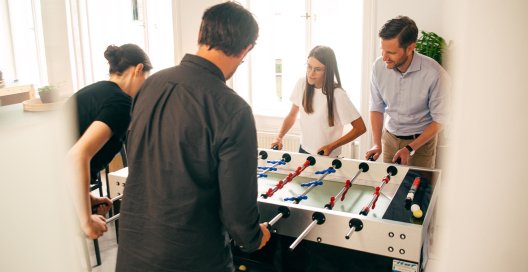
x=278, y=59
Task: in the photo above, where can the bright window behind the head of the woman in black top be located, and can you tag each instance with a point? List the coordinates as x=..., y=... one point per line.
x=145, y=23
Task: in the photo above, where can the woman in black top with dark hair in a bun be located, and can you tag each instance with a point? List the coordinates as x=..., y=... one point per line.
x=103, y=115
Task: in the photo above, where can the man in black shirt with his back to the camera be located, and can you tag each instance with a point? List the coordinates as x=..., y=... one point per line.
x=192, y=158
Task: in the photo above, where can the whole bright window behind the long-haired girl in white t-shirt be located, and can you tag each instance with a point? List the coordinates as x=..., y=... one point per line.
x=288, y=31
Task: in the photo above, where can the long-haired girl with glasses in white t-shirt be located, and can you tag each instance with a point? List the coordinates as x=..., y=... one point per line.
x=325, y=106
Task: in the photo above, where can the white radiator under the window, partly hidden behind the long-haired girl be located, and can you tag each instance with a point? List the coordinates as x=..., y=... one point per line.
x=291, y=143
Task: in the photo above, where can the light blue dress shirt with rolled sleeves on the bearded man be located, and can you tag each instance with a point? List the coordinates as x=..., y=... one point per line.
x=412, y=100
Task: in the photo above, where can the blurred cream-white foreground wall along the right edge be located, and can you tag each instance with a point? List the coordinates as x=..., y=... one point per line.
x=484, y=202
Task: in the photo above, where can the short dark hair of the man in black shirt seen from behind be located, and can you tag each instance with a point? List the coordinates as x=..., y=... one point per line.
x=228, y=27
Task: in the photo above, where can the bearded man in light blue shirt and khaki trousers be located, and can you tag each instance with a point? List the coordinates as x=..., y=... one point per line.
x=410, y=90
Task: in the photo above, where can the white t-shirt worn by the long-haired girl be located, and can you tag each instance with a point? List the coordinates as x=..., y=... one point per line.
x=314, y=126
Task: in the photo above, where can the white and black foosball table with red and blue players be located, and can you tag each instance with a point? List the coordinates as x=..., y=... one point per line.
x=328, y=214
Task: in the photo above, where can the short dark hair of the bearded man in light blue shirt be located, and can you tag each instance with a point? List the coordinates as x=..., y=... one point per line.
x=402, y=27
